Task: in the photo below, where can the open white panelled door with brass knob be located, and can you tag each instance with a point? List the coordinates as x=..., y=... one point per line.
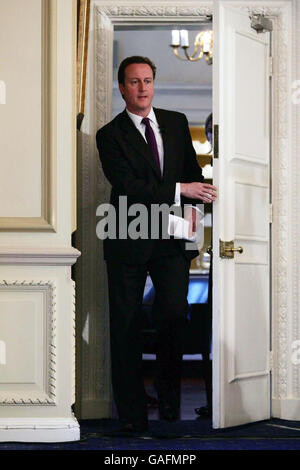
x=241, y=326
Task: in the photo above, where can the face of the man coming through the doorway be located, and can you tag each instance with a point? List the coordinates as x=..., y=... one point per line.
x=138, y=89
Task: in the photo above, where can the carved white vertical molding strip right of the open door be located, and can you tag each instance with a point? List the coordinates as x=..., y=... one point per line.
x=281, y=161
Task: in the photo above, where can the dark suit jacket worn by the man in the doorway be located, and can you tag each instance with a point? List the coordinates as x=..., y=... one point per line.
x=131, y=170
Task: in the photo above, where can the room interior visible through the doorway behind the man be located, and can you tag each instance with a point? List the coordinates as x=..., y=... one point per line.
x=185, y=87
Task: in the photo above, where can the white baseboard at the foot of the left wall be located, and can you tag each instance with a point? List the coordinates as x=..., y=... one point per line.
x=39, y=430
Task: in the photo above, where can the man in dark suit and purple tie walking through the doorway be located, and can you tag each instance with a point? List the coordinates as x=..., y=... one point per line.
x=148, y=157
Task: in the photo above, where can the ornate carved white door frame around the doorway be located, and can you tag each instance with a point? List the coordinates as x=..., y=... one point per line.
x=285, y=197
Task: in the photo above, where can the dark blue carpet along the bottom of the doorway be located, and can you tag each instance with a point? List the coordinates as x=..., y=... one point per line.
x=273, y=434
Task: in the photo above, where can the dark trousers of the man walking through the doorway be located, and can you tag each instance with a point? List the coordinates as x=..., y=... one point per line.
x=170, y=277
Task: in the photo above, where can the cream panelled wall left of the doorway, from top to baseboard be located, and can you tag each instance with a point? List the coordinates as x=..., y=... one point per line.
x=37, y=152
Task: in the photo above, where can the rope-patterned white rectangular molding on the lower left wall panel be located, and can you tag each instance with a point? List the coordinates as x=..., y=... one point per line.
x=43, y=396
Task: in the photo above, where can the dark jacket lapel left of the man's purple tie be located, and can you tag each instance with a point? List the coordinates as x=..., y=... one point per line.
x=134, y=138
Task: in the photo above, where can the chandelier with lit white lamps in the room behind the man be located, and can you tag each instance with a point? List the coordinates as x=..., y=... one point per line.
x=203, y=45
